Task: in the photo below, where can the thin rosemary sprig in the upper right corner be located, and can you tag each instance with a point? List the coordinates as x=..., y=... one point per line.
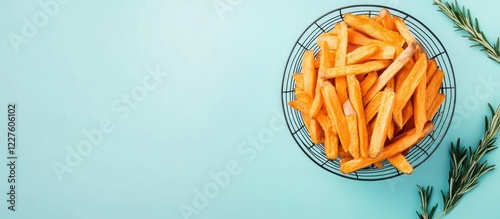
x=463, y=20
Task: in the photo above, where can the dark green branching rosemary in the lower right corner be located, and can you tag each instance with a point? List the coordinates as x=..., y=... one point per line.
x=466, y=168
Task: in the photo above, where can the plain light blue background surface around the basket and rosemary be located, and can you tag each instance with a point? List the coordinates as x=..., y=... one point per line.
x=222, y=88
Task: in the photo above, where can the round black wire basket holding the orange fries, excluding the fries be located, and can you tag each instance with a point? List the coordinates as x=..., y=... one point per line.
x=418, y=153
